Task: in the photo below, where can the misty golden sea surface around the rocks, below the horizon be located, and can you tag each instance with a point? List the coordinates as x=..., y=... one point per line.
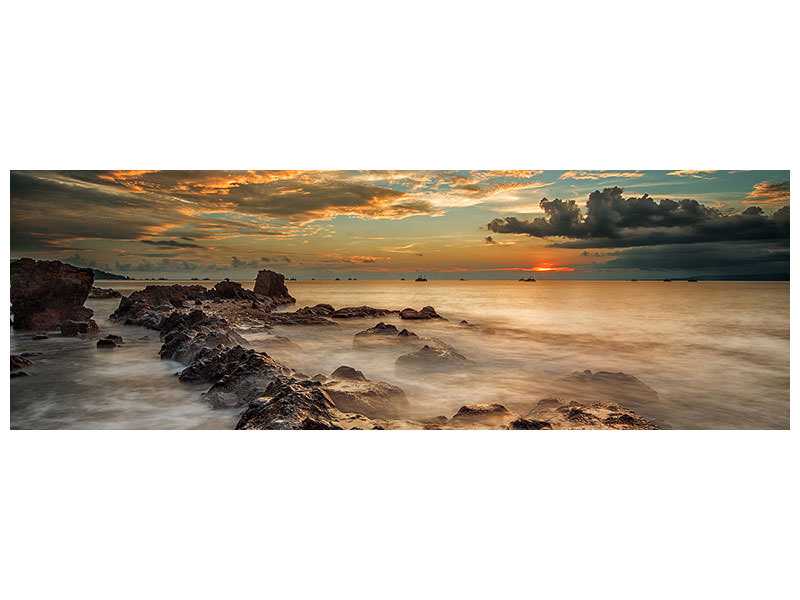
x=717, y=353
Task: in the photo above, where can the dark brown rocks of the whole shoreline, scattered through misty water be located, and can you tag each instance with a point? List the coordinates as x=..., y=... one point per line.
x=202, y=329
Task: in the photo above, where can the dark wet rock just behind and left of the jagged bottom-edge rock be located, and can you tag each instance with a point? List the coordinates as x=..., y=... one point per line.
x=245, y=379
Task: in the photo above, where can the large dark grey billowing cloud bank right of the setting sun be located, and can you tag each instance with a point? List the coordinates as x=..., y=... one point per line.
x=613, y=221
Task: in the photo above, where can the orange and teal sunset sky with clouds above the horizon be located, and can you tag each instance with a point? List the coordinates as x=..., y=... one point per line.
x=616, y=224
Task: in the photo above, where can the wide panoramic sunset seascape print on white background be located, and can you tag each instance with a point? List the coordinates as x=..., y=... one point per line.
x=376, y=300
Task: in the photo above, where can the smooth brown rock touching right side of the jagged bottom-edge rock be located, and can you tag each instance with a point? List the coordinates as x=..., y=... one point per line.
x=352, y=392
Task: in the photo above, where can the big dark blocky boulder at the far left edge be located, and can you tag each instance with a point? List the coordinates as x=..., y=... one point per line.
x=44, y=292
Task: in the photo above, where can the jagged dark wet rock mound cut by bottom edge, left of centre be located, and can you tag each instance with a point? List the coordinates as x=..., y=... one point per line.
x=291, y=404
